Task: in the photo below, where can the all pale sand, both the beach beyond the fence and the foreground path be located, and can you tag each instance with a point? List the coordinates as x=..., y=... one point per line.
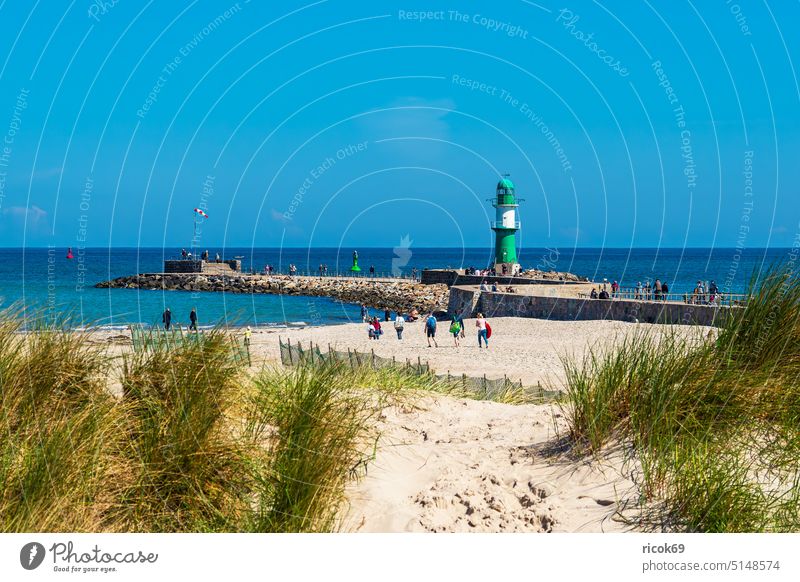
x=446, y=464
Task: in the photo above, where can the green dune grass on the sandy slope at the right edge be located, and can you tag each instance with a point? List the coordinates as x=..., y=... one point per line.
x=712, y=423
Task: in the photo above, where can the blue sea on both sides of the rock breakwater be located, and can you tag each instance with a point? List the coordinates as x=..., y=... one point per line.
x=44, y=280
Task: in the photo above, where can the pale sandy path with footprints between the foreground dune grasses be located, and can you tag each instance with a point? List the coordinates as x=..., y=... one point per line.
x=453, y=465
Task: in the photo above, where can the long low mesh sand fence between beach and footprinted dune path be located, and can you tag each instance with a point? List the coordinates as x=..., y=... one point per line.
x=480, y=387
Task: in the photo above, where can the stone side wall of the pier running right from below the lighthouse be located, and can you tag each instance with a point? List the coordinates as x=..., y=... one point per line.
x=468, y=302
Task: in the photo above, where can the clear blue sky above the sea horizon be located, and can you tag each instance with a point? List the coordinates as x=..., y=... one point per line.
x=335, y=123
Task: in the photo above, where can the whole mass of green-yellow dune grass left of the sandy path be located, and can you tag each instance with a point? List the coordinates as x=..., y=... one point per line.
x=196, y=442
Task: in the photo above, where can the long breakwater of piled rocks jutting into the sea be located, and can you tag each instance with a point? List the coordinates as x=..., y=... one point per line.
x=396, y=295
